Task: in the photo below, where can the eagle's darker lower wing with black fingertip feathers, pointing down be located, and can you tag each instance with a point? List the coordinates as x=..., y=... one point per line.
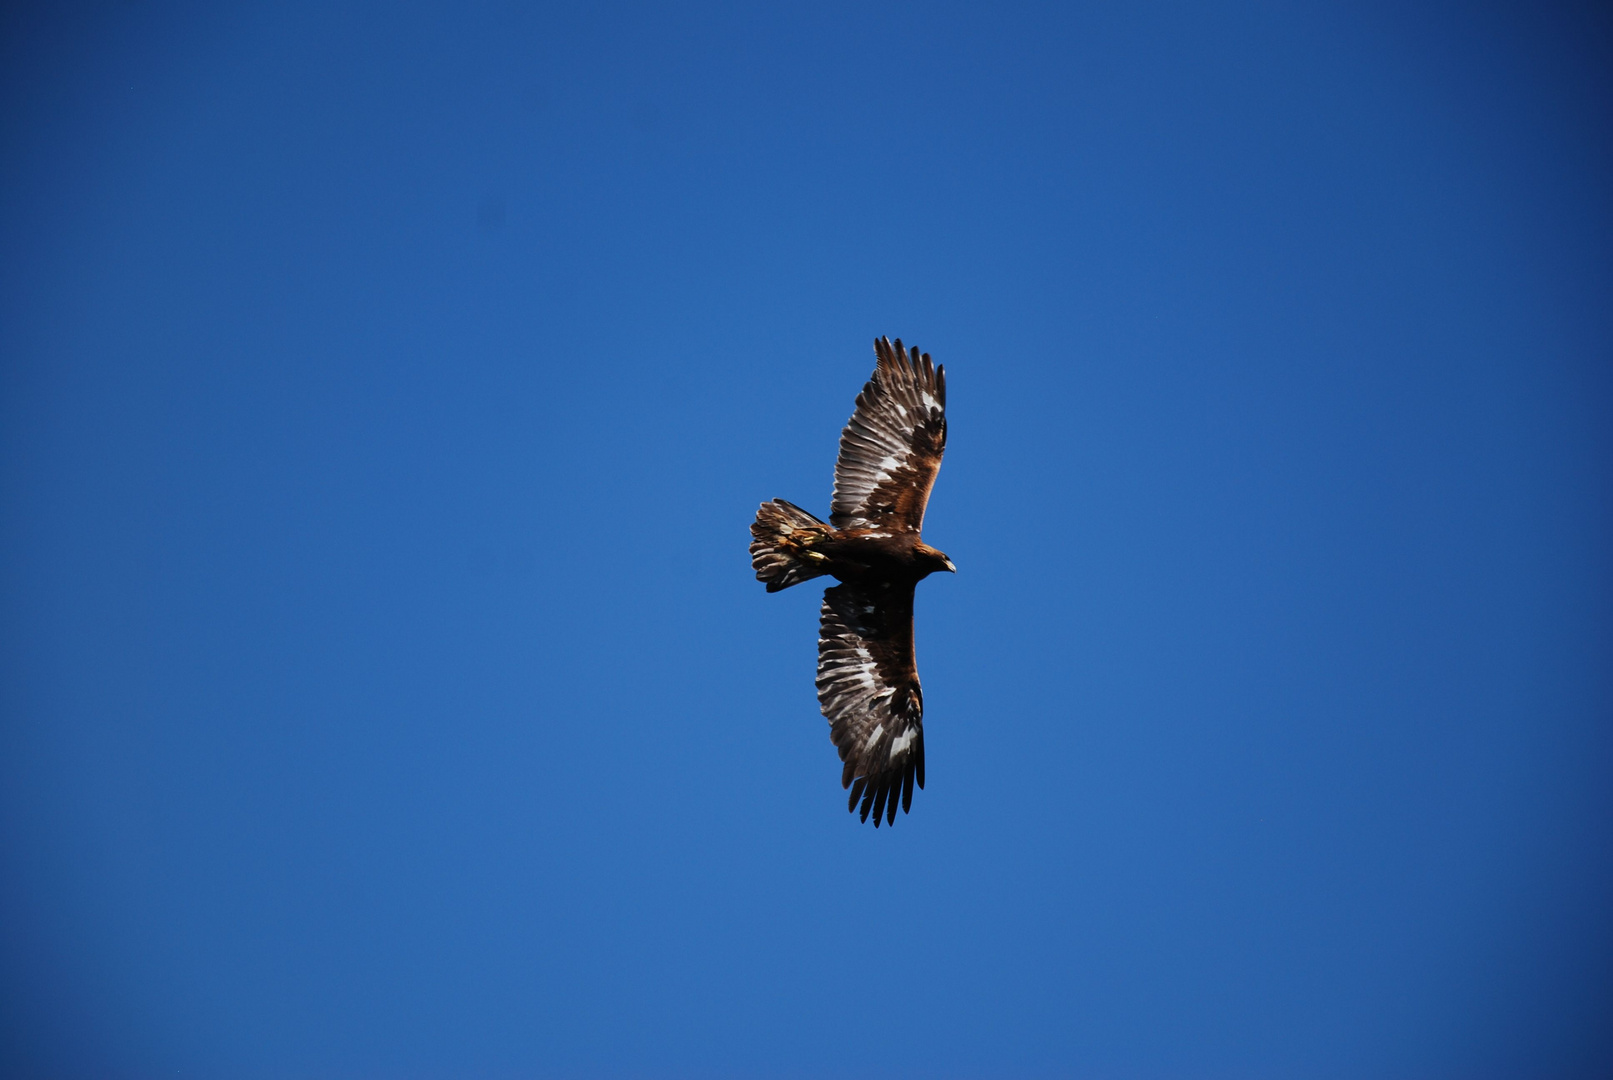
x=869, y=689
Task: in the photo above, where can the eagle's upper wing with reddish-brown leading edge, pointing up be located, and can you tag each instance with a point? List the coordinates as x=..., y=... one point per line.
x=891, y=449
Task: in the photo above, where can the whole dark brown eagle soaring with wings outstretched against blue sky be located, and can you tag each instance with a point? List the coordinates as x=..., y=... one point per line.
x=867, y=678
